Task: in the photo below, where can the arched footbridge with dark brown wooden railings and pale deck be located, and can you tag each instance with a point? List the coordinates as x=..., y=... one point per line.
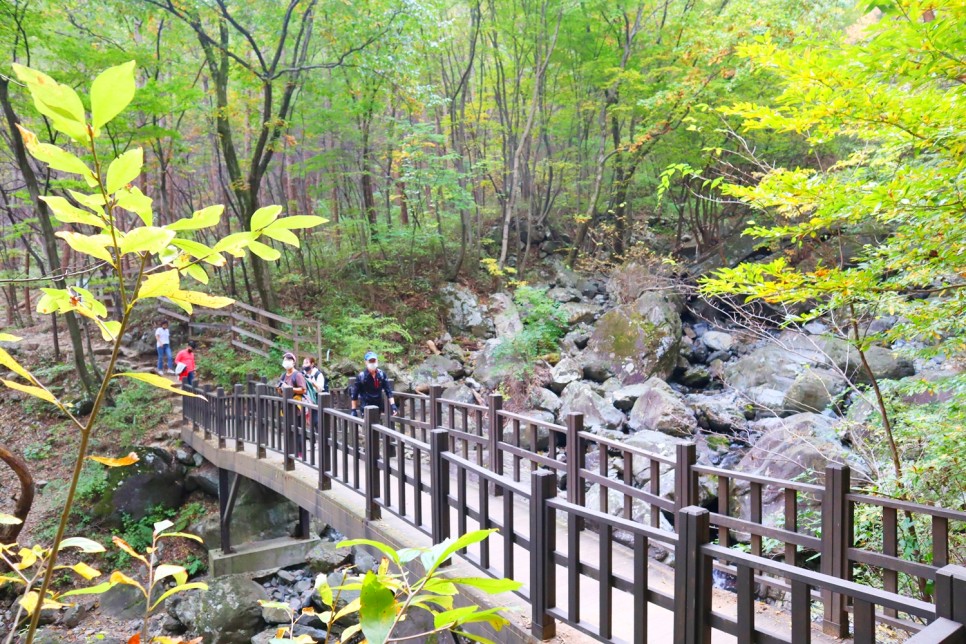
x=444, y=467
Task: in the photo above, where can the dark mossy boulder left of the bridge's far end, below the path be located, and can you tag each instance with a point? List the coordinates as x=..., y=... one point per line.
x=156, y=480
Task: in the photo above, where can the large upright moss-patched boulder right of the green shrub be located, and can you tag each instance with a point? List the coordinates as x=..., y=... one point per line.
x=635, y=340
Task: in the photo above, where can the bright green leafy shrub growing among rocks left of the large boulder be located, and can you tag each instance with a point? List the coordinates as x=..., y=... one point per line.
x=544, y=324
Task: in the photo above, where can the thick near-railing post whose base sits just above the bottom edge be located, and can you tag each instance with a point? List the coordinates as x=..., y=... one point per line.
x=543, y=532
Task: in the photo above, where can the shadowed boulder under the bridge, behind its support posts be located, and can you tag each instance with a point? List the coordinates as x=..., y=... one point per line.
x=259, y=514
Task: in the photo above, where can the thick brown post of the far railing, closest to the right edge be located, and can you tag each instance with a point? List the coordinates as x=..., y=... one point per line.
x=836, y=539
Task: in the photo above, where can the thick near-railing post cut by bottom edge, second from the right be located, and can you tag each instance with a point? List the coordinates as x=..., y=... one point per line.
x=692, y=578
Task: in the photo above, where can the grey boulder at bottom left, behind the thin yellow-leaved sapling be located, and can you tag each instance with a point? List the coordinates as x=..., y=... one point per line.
x=228, y=612
